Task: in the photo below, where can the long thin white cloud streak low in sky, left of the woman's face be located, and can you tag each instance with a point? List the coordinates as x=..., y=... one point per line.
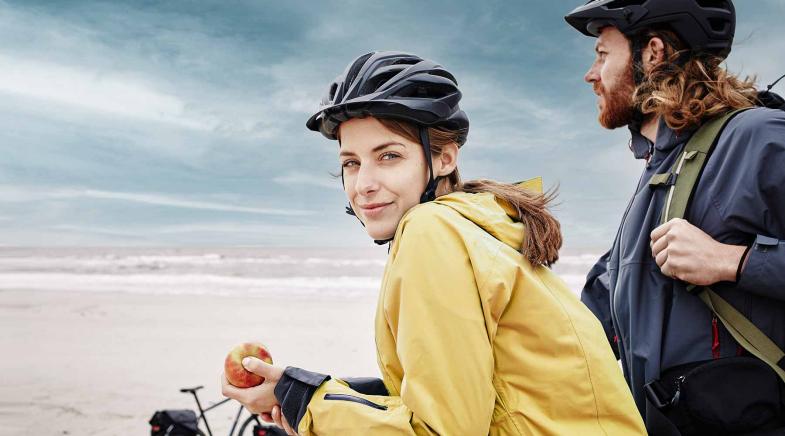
x=16, y=194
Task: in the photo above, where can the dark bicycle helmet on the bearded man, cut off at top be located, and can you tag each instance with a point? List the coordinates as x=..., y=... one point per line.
x=704, y=25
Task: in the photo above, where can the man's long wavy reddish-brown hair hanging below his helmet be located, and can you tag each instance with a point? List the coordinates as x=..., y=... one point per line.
x=687, y=93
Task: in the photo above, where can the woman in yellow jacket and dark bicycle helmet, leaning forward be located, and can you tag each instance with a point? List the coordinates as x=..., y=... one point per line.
x=474, y=334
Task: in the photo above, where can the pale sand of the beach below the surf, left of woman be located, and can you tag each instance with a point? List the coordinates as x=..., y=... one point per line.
x=78, y=363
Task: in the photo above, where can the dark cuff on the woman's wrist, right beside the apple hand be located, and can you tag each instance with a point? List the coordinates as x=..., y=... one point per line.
x=294, y=391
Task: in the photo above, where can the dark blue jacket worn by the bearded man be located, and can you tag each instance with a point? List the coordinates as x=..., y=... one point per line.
x=740, y=200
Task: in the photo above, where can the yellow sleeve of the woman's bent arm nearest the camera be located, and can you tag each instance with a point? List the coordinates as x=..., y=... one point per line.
x=433, y=312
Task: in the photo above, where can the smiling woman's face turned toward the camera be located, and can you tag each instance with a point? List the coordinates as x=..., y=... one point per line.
x=384, y=174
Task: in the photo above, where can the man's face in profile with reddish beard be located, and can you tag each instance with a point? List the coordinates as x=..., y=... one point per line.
x=611, y=77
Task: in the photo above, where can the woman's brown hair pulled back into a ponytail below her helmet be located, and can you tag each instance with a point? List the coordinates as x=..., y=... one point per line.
x=543, y=233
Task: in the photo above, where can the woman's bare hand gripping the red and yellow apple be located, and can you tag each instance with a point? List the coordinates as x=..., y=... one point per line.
x=258, y=399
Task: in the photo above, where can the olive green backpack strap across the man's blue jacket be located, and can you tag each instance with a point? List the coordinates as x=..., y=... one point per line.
x=682, y=180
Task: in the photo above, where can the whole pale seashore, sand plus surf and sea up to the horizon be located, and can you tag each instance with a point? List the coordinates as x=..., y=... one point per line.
x=95, y=340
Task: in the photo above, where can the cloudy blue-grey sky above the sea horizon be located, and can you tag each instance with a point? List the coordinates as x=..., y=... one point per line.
x=182, y=123
